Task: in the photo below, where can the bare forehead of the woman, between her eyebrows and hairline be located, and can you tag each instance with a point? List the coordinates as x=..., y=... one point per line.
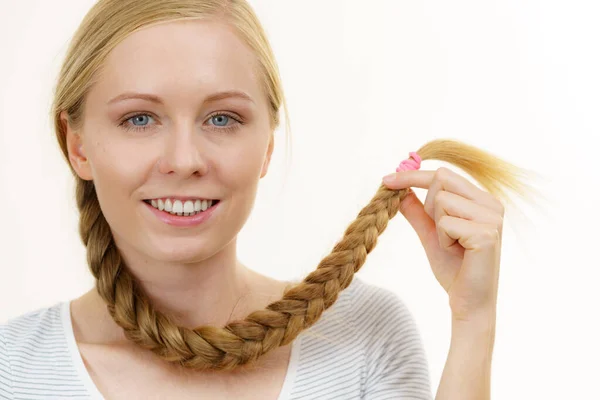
x=182, y=57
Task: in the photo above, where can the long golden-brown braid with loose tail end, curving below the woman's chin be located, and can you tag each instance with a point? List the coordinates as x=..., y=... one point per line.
x=244, y=341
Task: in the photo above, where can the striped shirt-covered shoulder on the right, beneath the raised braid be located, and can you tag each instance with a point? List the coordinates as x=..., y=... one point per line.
x=369, y=328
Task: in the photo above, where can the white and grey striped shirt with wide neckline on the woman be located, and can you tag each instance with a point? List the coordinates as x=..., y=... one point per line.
x=365, y=346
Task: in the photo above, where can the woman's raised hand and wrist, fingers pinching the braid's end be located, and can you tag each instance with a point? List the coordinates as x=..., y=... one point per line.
x=460, y=227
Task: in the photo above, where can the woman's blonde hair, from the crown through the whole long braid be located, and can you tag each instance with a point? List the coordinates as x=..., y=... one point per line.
x=240, y=342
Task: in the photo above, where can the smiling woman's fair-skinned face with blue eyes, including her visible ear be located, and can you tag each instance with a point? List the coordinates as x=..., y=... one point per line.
x=176, y=111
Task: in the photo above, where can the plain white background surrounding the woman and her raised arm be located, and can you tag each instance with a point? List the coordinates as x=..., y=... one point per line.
x=366, y=85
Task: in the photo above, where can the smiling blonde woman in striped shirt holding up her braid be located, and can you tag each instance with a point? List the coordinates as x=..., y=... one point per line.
x=165, y=111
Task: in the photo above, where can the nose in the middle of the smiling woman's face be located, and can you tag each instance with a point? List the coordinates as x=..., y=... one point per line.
x=183, y=153
